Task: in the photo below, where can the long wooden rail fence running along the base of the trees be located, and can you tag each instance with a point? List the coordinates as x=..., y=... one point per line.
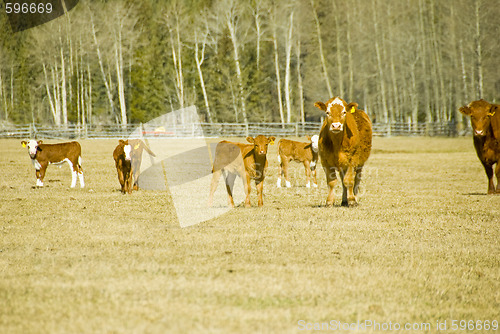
x=191, y=130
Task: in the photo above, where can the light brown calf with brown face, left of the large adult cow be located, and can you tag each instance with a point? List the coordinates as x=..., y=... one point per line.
x=248, y=161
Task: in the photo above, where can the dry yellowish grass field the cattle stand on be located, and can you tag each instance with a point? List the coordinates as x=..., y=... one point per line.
x=422, y=246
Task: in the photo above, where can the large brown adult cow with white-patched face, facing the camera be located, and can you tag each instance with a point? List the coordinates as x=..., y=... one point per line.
x=345, y=142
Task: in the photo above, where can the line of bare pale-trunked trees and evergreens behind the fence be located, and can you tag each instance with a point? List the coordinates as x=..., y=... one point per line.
x=124, y=62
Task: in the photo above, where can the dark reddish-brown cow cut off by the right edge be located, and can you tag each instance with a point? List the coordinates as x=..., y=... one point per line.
x=485, y=120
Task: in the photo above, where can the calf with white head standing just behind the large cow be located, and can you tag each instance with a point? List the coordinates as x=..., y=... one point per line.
x=307, y=153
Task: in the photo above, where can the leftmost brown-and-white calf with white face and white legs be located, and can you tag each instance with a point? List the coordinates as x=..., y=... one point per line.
x=43, y=155
